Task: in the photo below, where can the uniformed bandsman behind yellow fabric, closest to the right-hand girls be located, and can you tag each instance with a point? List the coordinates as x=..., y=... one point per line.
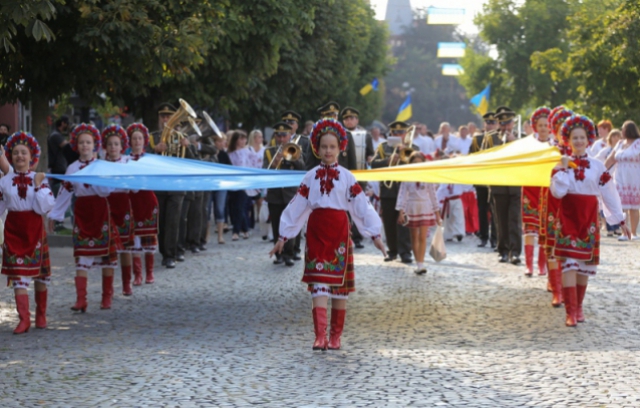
x=507, y=200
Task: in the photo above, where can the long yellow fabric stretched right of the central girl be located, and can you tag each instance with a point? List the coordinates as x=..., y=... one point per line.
x=524, y=162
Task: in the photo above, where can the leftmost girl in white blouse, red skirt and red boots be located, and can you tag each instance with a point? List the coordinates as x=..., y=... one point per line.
x=25, y=253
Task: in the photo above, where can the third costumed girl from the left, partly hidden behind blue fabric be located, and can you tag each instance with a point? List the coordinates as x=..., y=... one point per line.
x=120, y=209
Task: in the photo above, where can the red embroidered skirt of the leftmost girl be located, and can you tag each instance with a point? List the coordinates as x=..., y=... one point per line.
x=25, y=249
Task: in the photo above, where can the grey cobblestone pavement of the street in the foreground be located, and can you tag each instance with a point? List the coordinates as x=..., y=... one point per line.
x=229, y=328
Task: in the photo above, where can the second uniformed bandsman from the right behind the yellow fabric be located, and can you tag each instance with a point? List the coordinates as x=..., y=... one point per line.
x=482, y=141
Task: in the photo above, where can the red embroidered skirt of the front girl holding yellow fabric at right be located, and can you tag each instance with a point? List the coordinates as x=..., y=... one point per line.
x=579, y=234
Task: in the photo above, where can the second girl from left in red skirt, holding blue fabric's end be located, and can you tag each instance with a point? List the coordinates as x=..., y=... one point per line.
x=94, y=235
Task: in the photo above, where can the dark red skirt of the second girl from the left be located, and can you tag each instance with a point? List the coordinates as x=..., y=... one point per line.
x=94, y=233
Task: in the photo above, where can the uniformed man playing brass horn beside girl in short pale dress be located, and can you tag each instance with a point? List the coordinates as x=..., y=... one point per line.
x=398, y=236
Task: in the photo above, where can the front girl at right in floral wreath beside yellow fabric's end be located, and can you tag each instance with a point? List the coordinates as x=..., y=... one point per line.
x=578, y=239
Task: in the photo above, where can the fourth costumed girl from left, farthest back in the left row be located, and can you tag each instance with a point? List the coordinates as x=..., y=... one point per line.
x=144, y=204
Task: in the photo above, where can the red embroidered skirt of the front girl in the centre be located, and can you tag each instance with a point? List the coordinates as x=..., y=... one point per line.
x=328, y=256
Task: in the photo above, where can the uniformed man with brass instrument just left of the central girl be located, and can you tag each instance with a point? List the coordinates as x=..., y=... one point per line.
x=279, y=198
